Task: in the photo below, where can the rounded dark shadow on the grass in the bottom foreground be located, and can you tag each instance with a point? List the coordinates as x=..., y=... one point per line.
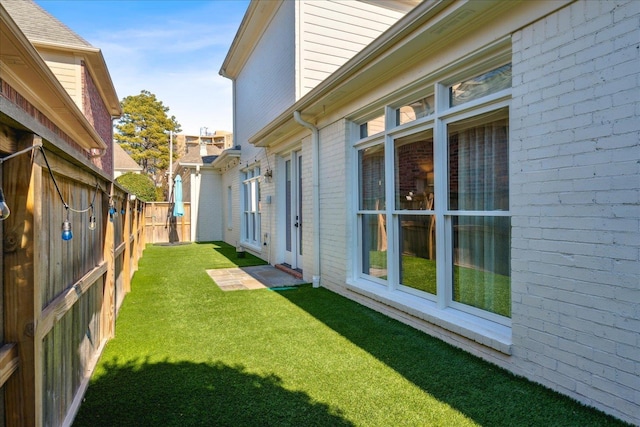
x=189, y=394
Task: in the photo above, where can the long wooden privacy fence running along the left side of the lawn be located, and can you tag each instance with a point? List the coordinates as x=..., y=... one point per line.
x=61, y=297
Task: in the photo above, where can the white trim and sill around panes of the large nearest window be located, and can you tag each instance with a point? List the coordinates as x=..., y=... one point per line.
x=479, y=325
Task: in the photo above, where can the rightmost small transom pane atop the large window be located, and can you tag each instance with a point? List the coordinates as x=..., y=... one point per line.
x=477, y=87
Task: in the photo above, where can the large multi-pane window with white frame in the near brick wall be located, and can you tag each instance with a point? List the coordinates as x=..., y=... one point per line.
x=433, y=183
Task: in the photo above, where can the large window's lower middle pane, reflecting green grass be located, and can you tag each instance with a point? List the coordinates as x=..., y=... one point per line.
x=418, y=252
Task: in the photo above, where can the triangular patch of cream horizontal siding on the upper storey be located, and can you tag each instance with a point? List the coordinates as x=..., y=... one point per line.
x=332, y=32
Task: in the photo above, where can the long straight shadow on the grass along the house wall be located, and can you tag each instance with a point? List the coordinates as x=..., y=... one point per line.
x=485, y=393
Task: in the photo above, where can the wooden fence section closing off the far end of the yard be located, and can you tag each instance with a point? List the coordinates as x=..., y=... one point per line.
x=162, y=227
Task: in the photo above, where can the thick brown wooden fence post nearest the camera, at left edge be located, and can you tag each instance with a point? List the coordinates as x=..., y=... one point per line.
x=23, y=189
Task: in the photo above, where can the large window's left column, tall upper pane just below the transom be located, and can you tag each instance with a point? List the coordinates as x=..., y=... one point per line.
x=372, y=178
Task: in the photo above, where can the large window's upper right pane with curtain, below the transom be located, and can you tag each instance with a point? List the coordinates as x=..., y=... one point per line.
x=479, y=163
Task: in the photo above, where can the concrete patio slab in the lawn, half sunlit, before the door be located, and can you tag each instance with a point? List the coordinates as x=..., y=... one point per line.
x=249, y=278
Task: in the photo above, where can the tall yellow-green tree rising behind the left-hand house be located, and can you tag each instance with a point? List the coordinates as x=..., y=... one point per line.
x=143, y=131
